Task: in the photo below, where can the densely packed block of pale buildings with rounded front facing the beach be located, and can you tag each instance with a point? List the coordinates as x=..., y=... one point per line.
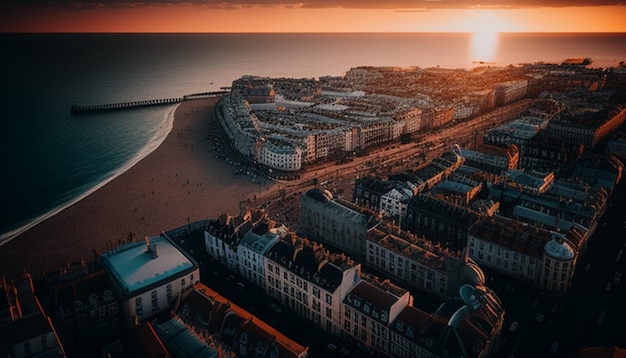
x=321, y=123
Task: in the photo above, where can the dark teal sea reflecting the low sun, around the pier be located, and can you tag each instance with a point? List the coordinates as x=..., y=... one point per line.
x=50, y=158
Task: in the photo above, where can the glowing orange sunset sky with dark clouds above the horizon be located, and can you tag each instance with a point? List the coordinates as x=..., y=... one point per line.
x=213, y=16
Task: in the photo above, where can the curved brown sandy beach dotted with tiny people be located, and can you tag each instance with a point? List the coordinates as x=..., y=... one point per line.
x=180, y=181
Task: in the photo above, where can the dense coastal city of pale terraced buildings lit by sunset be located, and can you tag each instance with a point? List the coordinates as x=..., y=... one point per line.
x=400, y=212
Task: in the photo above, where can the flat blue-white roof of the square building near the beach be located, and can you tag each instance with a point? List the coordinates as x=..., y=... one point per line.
x=134, y=268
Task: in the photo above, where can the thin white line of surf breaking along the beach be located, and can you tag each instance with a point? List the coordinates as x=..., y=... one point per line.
x=159, y=136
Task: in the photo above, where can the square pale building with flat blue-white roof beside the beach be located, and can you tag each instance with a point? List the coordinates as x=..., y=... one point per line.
x=148, y=276
